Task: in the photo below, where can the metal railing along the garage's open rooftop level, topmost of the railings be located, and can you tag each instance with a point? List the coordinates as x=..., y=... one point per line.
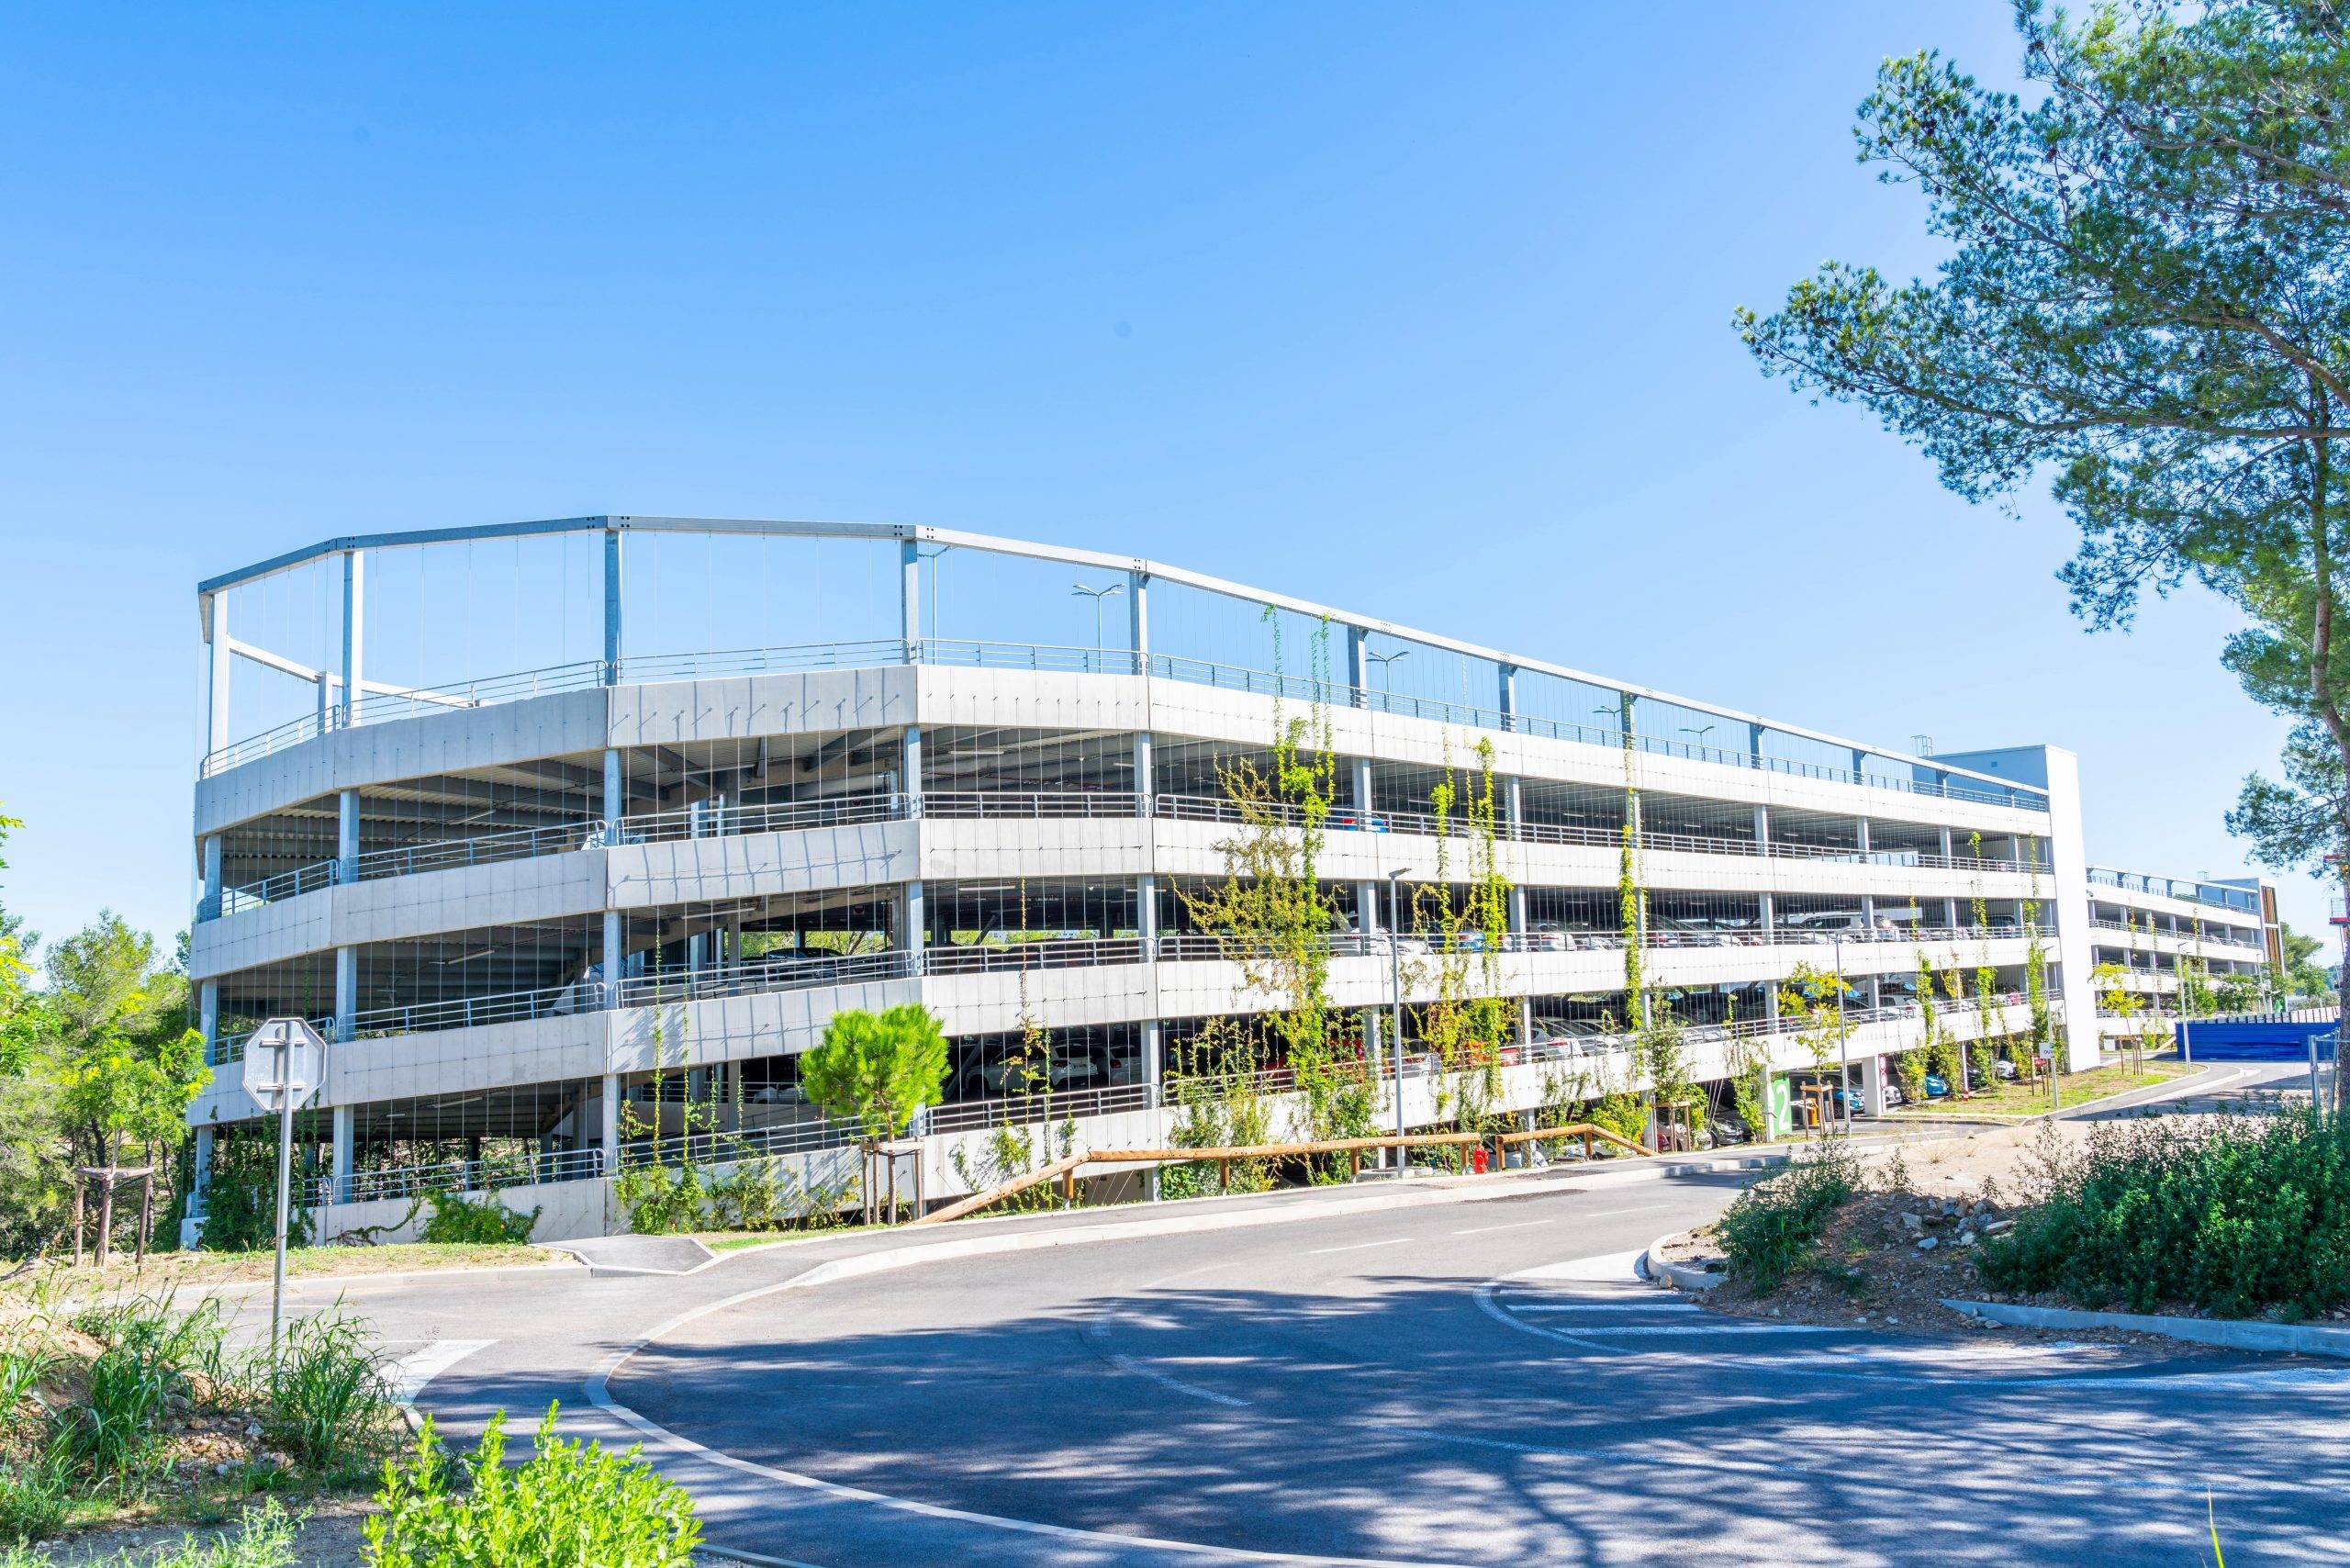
x=1063, y=659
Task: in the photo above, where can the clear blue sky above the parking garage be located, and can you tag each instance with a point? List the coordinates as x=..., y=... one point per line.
x=1423, y=311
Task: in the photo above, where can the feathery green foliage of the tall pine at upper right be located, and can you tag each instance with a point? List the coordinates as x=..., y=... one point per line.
x=2144, y=302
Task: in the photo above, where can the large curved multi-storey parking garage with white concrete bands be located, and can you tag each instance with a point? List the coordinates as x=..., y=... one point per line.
x=746, y=775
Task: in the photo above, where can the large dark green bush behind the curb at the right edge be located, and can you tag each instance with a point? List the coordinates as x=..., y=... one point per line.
x=2236, y=1219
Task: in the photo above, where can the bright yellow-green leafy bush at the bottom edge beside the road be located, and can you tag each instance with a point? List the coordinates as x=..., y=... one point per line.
x=572, y=1503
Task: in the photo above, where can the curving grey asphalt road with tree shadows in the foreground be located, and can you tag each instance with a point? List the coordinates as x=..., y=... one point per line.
x=1439, y=1374
